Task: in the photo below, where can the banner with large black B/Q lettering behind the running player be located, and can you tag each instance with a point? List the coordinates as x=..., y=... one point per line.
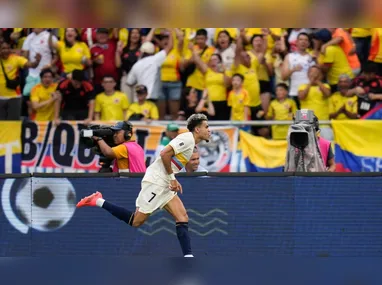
x=49, y=148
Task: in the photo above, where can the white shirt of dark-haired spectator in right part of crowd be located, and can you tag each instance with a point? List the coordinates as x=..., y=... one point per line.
x=299, y=78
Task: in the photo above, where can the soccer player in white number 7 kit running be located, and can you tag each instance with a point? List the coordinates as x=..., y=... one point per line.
x=159, y=185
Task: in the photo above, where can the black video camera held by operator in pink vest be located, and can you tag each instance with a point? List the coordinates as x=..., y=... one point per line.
x=104, y=132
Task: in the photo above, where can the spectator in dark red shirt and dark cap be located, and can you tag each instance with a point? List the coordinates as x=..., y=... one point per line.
x=103, y=57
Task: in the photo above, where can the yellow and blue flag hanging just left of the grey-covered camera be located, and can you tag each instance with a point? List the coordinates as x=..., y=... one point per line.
x=262, y=155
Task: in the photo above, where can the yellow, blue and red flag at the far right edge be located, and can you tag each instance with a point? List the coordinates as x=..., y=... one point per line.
x=358, y=145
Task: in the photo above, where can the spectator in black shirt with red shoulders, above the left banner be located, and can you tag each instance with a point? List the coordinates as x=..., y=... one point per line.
x=76, y=100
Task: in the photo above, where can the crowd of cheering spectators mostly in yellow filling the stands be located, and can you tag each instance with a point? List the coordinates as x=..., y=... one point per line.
x=168, y=74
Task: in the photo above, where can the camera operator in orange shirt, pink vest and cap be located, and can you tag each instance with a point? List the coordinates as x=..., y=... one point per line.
x=127, y=154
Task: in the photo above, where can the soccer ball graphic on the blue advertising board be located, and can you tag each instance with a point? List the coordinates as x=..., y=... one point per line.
x=45, y=204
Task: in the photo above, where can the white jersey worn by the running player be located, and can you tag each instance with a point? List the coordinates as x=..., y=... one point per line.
x=183, y=146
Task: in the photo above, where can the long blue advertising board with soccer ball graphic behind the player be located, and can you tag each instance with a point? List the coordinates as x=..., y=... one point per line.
x=328, y=215
